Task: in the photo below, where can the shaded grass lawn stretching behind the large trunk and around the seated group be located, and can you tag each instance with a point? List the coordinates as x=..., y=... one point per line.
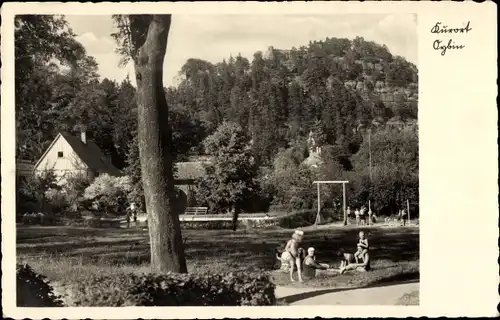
x=67, y=254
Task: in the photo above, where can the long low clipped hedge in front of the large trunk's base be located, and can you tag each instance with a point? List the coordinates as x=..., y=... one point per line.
x=172, y=289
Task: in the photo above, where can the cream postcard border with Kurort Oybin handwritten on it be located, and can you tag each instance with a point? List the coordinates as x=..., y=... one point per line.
x=458, y=161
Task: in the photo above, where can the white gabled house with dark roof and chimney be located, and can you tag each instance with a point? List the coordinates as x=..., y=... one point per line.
x=68, y=155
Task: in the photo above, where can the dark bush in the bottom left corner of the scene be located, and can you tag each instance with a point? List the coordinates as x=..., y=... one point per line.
x=33, y=290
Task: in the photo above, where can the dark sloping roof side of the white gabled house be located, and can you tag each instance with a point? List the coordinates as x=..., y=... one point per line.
x=92, y=155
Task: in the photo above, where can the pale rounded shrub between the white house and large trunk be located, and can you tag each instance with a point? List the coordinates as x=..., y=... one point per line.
x=109, y=193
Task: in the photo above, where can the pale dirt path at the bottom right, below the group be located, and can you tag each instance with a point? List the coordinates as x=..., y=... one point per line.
x=384, y=295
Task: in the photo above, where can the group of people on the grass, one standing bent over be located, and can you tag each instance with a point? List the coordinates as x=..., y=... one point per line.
x=307, y=266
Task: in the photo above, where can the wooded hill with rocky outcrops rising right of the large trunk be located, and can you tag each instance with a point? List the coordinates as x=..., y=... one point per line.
x=336, y=86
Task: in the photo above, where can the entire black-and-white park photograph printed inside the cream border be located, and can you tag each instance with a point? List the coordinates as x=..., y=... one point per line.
x=170, y=160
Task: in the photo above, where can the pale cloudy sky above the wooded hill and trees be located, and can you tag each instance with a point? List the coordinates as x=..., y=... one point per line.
x=215, y=37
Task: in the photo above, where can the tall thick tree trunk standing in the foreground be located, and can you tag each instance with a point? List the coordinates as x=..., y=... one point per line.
x=167, y=251
